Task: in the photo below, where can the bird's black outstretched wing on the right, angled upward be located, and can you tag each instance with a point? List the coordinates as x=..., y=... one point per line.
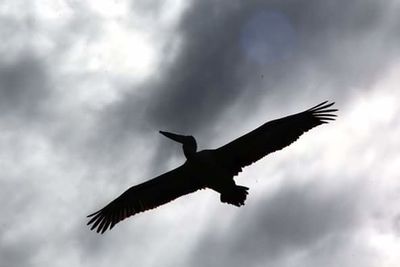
x=272, y=136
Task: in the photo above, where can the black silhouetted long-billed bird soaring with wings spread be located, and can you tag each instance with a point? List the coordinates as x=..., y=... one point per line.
x=213, y=169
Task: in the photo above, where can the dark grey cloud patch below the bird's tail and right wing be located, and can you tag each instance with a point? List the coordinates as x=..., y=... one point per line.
x=295, y=218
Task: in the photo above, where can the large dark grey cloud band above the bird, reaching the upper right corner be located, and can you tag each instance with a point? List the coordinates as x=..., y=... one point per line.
x=320, y=51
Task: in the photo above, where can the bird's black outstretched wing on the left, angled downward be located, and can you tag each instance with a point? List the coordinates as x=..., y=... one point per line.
x=145, y=196
